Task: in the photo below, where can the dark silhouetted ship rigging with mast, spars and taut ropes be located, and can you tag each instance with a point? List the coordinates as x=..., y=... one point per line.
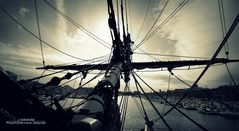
x=101, y=109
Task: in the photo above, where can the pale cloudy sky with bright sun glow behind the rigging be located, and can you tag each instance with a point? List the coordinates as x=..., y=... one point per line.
x=194, y=31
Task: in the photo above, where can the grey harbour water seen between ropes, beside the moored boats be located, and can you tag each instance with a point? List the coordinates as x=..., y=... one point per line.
x=135, y=121
